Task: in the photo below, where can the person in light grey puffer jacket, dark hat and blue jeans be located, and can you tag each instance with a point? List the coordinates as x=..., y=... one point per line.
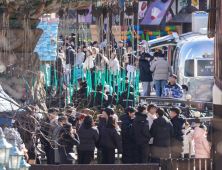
x=161, y=70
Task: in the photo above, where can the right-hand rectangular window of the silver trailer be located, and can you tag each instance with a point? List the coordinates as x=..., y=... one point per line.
x=205, y=67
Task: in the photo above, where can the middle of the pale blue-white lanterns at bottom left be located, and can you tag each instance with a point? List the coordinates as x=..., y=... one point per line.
x=15, y=158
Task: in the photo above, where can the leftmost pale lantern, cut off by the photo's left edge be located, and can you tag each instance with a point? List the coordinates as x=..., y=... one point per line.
x=5, y=148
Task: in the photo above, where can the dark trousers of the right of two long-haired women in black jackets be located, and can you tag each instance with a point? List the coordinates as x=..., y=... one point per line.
x=108, y=155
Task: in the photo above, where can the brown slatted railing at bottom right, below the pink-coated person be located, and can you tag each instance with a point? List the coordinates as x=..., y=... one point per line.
x=186, y=164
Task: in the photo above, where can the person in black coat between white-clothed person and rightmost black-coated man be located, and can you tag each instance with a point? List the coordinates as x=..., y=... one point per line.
x=162, y=131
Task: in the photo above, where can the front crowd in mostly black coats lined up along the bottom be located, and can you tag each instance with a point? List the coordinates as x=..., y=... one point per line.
x=142, y=135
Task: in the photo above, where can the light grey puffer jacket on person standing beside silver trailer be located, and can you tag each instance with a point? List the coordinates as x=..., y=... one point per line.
x=161, y=69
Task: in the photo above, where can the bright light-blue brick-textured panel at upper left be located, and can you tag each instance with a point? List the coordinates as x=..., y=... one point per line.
x=46, y=50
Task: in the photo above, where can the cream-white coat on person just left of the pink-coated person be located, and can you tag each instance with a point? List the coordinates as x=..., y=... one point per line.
x=187, y=137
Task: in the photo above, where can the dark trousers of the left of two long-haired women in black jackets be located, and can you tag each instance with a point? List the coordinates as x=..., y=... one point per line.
x=84, y=157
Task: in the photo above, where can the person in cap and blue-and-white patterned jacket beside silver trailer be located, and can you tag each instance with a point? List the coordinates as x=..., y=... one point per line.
x=172, y=89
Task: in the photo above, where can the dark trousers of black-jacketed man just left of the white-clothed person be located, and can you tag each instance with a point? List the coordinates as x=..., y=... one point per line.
x=143, y=151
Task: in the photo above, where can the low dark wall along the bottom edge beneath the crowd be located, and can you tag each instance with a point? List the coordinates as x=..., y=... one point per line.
x=96, y=167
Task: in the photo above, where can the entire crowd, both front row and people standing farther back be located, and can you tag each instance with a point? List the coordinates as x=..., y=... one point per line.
x=143, y=134
